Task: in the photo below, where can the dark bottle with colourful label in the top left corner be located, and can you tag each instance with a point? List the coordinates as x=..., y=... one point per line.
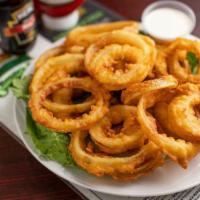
x=17, y=25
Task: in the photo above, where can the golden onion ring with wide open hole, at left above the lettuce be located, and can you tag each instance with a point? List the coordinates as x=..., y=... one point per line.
x=46, y=118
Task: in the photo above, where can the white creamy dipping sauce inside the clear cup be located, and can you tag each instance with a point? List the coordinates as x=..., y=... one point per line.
x=167, y=23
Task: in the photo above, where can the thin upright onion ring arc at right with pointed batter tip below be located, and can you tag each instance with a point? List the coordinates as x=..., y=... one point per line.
x=178, y=150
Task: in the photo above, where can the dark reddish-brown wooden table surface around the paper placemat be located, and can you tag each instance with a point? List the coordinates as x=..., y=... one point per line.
x=21, y=176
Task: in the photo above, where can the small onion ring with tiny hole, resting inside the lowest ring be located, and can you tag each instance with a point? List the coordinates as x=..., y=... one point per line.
x=129, y=137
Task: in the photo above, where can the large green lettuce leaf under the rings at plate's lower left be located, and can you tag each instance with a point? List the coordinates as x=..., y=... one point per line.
x=51, y=145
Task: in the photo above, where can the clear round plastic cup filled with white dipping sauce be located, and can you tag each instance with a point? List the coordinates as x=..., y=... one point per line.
x=168, y=20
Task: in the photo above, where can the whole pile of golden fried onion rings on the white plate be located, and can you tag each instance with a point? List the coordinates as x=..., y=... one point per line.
x=127, y=101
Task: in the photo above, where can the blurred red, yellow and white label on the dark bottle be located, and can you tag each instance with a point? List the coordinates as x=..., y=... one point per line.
x=21, y=25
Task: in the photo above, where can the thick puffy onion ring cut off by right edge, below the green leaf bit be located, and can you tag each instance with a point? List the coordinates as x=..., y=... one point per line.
x=182, y=116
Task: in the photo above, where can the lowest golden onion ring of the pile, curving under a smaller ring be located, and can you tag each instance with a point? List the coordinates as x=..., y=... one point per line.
x=99, y=164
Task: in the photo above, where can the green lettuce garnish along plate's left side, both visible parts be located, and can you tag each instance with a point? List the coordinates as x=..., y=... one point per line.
x=51, y=145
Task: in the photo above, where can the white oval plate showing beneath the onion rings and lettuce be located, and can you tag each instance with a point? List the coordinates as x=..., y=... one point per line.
x=165, y=180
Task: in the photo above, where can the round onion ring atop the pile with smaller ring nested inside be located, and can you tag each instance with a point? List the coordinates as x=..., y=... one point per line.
x=120, y=58
